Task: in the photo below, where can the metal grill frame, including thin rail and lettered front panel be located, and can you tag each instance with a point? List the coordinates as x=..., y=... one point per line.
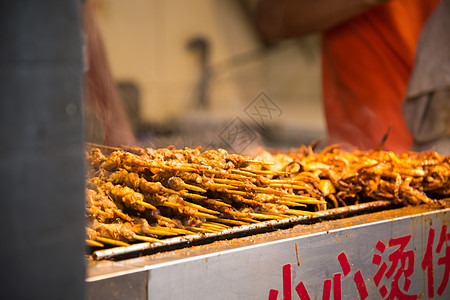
x=253, y=265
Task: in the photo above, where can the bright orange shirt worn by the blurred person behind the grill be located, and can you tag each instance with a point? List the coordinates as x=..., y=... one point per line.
x=366, y=64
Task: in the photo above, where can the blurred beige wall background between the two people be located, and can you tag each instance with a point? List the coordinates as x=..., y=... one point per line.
x=196, y=73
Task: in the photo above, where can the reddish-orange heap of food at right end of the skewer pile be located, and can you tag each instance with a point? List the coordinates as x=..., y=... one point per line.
x=346, y=178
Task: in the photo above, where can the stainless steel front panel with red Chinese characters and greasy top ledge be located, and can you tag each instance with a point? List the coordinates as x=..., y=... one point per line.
x=305, y=261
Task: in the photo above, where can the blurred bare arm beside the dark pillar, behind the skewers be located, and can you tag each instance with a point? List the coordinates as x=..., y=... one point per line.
x=102, y=95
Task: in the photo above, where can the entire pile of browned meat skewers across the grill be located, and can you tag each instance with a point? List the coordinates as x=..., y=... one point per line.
x=148, y=195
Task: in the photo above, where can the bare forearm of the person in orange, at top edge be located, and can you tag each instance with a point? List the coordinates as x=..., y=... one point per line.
x=278, y=19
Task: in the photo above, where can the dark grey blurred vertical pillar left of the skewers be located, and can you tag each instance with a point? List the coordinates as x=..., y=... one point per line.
x=41, y=157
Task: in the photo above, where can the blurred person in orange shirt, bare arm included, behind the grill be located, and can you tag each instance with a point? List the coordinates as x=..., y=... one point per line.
x=368, y=52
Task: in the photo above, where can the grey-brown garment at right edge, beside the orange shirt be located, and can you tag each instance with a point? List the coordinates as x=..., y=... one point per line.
x=427, y=104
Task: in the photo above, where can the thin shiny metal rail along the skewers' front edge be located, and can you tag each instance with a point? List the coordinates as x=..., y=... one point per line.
x=118, y=252
